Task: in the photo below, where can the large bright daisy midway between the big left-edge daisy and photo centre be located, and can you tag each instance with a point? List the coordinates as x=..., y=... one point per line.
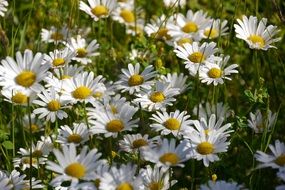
x=82, y=87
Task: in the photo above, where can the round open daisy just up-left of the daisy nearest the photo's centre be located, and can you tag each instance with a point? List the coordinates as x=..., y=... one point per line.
x=133, y=81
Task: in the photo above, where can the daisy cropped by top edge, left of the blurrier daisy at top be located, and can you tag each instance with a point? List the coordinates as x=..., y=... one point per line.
x=98, y=9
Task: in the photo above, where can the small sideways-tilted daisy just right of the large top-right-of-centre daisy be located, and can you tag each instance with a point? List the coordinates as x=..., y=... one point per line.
x=215, y=29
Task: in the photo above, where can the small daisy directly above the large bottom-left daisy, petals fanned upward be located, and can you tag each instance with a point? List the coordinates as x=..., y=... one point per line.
x=79, y=134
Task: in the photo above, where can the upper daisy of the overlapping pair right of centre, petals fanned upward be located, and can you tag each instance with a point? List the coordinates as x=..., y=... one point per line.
x=195, y=55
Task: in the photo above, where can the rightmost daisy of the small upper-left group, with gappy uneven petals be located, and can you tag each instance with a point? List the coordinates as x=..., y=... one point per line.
x=83, y=50
